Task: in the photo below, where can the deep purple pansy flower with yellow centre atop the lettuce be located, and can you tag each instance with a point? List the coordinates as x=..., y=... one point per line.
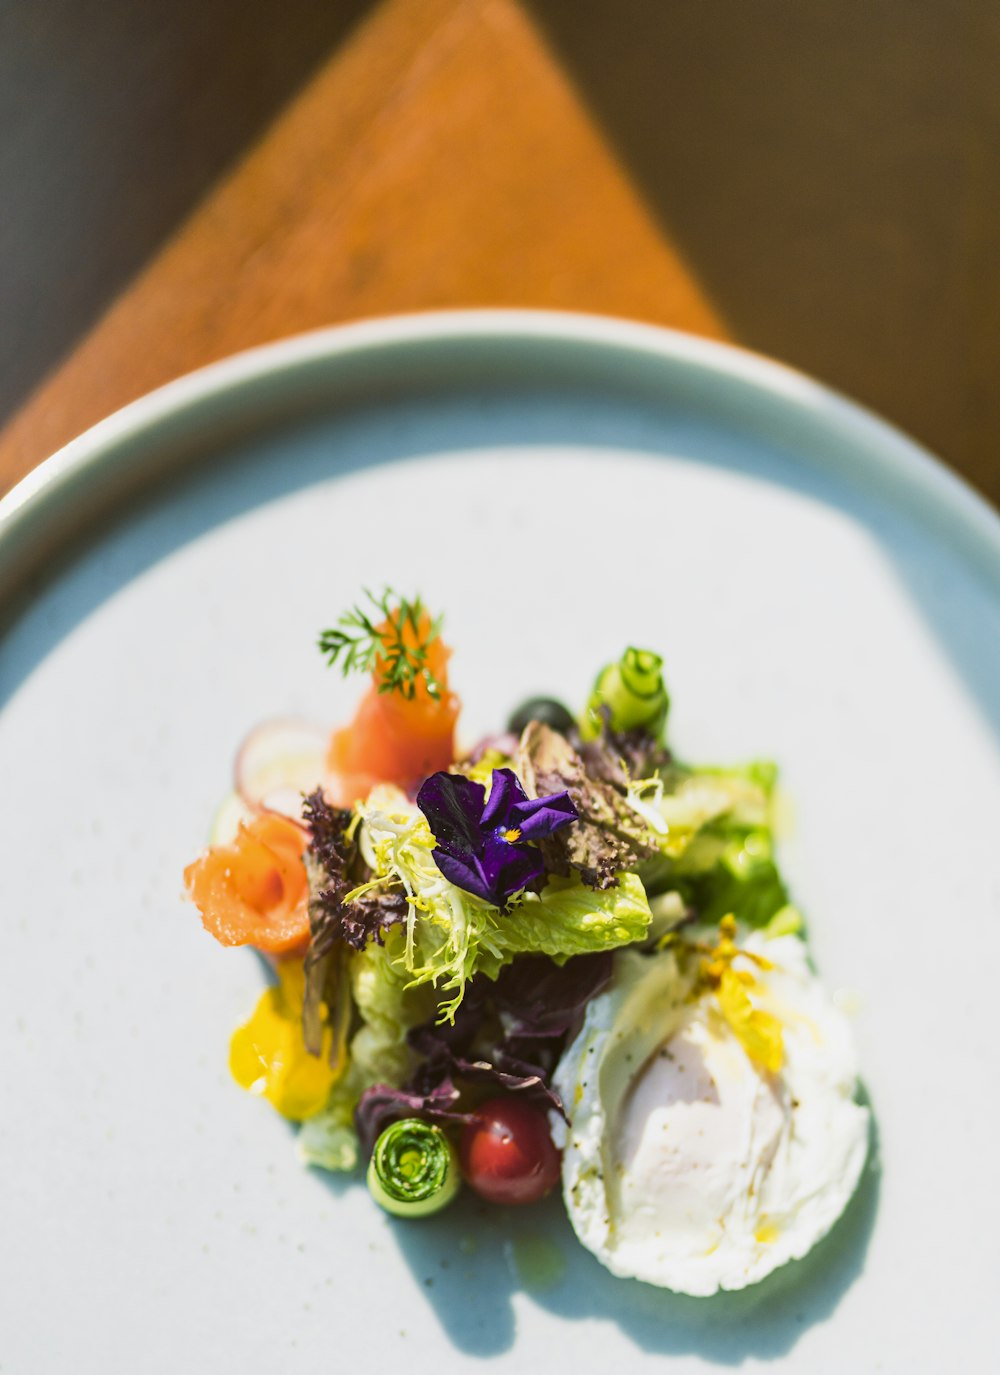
x=483, y=846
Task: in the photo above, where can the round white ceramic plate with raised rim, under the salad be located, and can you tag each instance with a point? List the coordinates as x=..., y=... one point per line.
x=823, y=595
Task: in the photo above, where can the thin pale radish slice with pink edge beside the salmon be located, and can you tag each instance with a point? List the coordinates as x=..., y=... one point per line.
x=279, y=762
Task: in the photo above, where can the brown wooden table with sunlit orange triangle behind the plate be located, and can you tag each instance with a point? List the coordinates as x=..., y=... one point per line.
x=815, y=181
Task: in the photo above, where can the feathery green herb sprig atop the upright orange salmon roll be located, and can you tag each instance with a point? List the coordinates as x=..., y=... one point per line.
x=357, y=641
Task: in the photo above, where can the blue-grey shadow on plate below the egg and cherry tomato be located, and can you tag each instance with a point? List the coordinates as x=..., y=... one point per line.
x=475, y=1260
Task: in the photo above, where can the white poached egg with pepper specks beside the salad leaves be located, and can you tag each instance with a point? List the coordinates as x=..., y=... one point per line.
x=684, y=1164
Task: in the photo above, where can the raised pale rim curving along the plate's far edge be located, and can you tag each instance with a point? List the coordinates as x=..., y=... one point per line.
x=36, y=503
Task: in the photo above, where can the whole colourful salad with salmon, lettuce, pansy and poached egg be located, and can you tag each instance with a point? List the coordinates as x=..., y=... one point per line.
x=559, y=960
